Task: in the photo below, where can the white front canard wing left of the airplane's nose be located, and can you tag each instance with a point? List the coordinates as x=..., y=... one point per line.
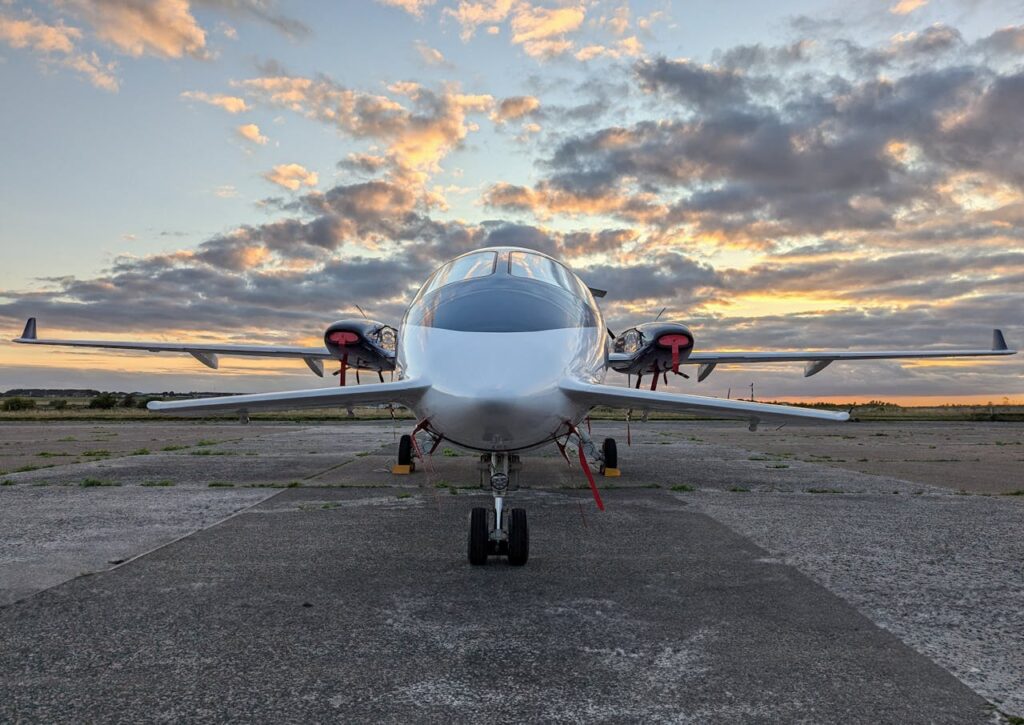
x=405, y=393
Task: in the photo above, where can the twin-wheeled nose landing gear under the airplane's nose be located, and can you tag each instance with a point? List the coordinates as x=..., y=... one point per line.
x=499, y=533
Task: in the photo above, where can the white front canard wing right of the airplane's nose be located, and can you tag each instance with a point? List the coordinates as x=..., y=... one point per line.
x=615, y=397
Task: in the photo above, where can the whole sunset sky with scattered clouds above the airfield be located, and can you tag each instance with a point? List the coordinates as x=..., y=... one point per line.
x=777, y=176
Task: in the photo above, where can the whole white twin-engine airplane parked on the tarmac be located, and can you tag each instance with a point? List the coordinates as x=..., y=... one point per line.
x=504, y=351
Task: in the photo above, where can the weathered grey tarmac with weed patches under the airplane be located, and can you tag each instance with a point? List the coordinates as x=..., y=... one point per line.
x=280, y=573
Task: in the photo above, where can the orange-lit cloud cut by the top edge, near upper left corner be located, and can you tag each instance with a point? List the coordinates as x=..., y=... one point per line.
x=162, y=28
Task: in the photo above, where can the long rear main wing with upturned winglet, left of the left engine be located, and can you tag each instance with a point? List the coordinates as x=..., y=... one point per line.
x=205, y=354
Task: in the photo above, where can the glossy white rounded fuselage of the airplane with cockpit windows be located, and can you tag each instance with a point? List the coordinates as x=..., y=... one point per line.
x=495, y=349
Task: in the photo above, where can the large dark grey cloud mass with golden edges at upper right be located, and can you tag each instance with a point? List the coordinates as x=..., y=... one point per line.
x=744, y=158
